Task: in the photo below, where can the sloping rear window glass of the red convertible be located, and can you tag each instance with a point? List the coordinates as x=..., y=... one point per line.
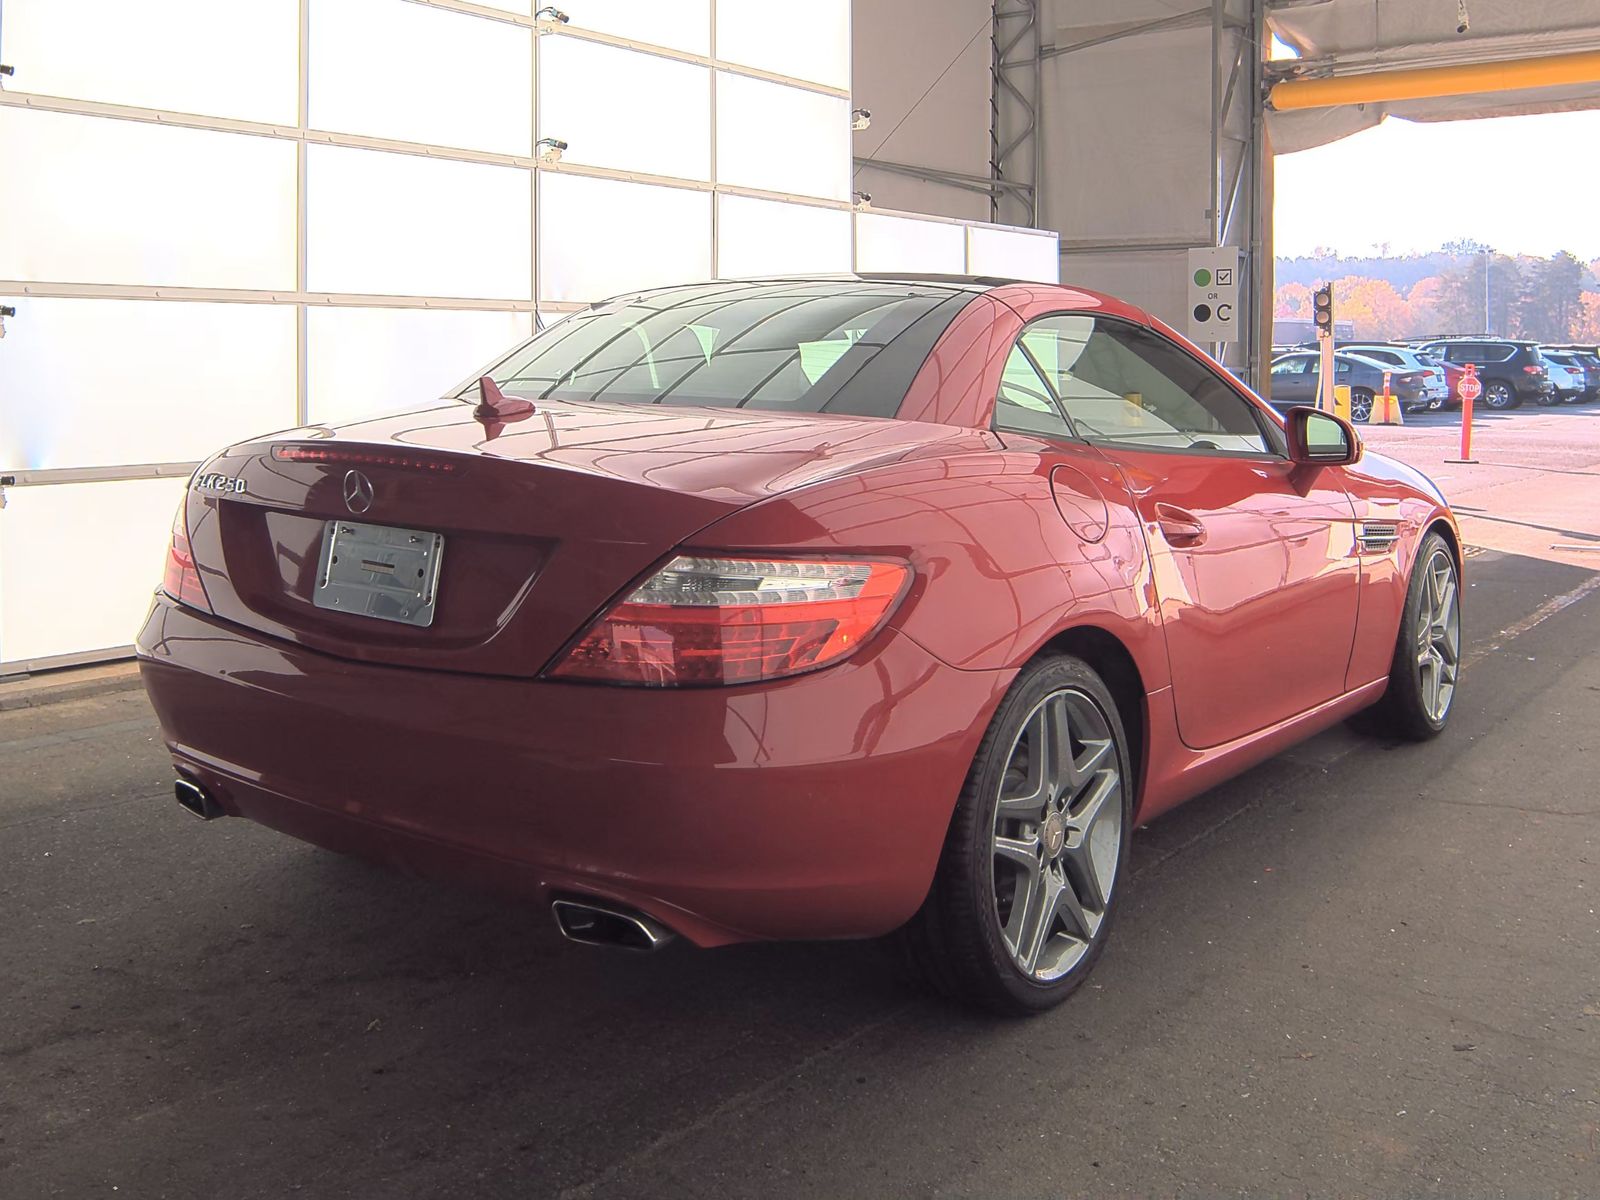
x=799, y=348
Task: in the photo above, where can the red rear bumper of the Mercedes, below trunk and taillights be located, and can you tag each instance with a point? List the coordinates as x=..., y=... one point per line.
x=814, y=807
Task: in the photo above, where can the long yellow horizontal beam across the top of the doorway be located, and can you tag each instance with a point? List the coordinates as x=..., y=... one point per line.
x=1433, y=82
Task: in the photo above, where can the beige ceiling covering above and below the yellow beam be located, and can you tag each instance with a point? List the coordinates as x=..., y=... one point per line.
x=1364, y=38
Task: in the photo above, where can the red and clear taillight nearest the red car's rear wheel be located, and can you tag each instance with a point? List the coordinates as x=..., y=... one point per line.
x=706, y=622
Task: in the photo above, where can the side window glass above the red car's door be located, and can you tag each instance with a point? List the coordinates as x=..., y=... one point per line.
x=1129, y=386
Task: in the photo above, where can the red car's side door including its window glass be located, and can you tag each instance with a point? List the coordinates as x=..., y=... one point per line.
x=1254, y=558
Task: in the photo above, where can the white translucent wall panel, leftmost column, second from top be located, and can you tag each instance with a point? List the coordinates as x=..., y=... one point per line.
x=124, y=202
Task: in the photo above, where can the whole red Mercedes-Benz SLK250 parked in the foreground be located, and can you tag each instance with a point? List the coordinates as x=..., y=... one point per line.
x=799, y=609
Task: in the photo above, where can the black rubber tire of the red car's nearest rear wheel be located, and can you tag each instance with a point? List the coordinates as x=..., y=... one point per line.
x=956, y=943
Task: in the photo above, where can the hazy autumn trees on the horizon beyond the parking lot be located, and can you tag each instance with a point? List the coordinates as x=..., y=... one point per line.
x=1553, y=300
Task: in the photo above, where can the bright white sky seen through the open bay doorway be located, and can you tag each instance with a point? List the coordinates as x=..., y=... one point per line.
x=1522, y=185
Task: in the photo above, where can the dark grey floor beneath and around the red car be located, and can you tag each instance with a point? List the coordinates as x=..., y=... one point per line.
x=1362, y=969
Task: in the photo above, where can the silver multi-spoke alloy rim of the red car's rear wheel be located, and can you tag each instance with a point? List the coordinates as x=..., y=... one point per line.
x=1057, y=838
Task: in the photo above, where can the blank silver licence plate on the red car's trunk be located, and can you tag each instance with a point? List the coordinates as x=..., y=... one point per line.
x=380, y=572
